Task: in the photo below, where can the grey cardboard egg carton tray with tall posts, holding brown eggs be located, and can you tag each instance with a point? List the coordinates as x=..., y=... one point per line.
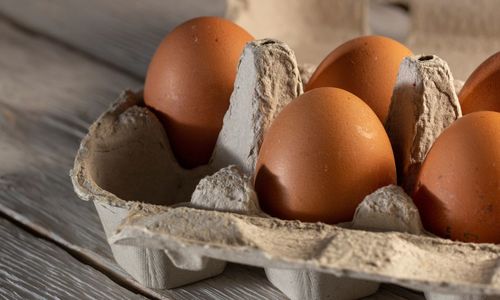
x=168, y=226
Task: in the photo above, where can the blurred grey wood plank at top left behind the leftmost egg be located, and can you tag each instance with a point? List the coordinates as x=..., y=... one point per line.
x=124, y=32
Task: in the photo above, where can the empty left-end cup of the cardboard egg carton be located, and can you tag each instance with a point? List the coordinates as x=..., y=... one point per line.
x=123, y=160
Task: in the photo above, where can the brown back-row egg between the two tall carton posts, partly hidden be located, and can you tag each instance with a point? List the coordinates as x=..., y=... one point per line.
x=367, y=67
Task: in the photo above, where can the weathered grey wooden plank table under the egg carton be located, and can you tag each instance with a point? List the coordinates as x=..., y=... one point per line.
x=52, y=86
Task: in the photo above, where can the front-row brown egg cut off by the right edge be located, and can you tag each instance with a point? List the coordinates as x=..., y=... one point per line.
x=458, y=188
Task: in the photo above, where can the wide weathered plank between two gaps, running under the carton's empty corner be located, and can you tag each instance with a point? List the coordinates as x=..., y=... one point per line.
x=48, y=98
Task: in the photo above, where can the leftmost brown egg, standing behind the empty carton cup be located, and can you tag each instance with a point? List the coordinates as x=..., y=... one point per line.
x=189, y=82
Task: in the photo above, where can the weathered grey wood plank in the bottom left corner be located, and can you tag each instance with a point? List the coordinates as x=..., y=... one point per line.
x=31, y=268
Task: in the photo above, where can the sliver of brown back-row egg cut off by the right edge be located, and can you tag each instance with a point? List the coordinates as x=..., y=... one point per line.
x=481, y=91
